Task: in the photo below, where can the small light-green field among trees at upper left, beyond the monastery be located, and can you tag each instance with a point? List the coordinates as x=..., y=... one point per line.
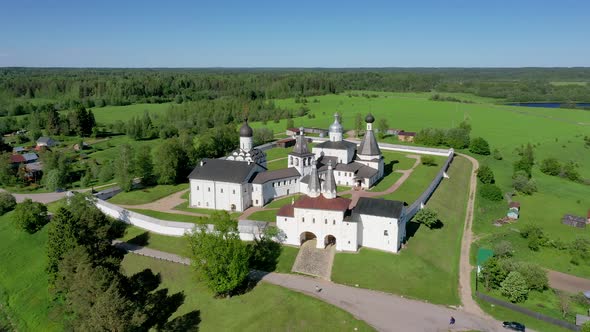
x=110, y=114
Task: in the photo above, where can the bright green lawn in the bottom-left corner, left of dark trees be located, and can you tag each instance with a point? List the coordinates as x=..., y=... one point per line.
x=23, y=282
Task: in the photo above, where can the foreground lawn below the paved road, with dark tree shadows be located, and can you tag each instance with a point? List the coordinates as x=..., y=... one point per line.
x=265, y=308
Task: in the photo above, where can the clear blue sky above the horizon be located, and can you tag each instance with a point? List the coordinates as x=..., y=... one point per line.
x=418, y=33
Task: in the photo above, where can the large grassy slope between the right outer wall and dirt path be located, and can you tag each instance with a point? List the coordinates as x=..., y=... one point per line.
x=431, y=257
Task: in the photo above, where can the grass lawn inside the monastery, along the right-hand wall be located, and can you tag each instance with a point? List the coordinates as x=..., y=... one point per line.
x=415, y=185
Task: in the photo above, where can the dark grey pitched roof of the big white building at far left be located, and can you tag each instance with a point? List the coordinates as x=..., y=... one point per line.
x=223, y=170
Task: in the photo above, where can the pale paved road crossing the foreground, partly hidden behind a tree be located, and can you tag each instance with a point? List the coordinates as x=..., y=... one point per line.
x=385, y=312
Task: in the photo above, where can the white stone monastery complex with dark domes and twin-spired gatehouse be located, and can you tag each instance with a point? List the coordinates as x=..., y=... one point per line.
x=241, y=180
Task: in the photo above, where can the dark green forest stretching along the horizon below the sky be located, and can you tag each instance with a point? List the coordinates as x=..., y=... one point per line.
x=23, y=90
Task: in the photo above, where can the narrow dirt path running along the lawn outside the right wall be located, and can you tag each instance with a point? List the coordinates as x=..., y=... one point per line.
x=465, y=268
